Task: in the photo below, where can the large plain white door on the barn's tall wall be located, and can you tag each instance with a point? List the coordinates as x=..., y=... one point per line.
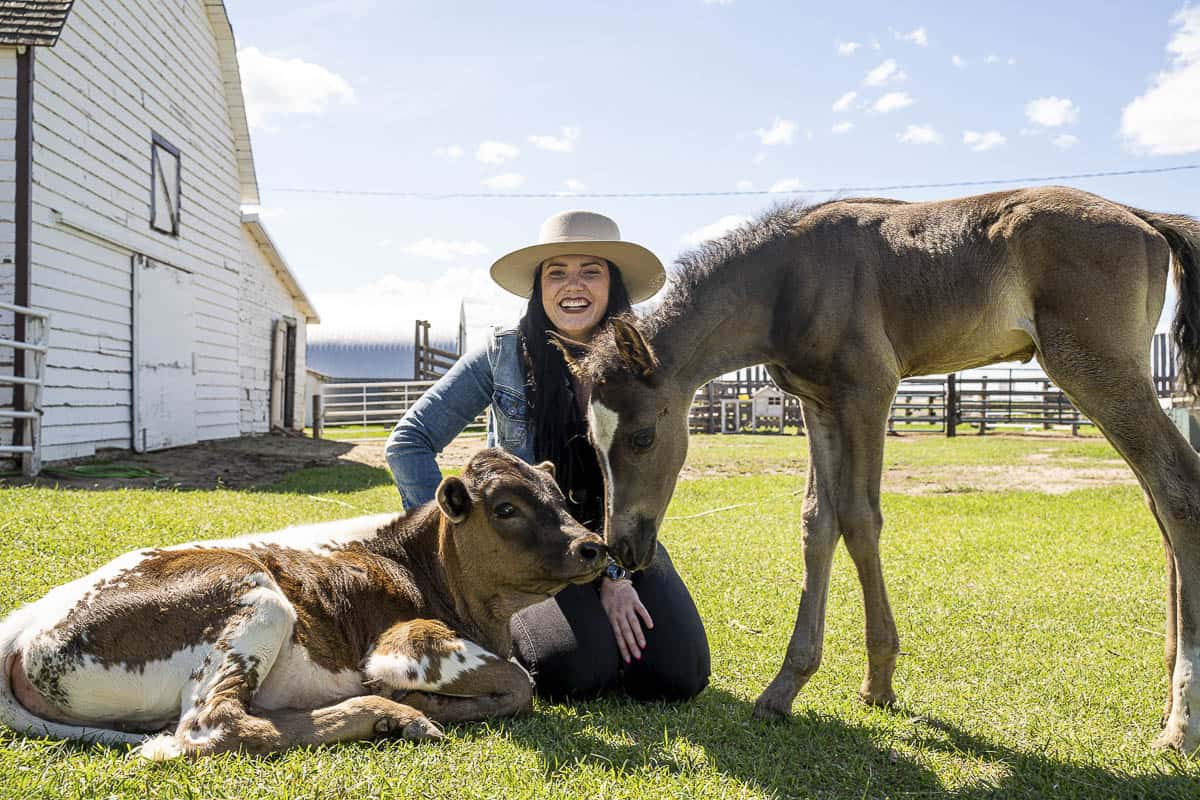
x=164, y=357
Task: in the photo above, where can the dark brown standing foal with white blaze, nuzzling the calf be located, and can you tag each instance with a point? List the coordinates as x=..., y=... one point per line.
x=842, y=302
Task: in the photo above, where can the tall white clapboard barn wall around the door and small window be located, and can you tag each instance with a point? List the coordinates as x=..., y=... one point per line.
x=122, y=71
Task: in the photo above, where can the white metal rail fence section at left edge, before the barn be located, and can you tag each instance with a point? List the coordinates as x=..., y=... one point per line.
x=27, y=414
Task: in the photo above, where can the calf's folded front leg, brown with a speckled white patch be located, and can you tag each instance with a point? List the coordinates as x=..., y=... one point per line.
x=430, y=667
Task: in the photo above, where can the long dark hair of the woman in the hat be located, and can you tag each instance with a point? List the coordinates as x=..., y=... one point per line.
x=555, y=416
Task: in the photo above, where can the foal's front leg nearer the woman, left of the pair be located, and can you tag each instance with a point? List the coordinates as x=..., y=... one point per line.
x=820, y=539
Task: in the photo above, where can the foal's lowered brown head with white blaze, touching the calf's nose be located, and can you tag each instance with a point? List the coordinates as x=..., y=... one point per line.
x=638, y=420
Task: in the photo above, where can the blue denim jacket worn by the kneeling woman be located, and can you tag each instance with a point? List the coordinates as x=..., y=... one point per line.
x=493, y=376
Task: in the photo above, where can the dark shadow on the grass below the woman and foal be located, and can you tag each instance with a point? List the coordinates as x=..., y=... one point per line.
x=814, y=755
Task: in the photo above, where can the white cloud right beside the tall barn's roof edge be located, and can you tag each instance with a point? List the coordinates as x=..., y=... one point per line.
x=273, y=86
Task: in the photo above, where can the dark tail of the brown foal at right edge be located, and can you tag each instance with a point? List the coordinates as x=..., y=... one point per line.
x=1183, y=233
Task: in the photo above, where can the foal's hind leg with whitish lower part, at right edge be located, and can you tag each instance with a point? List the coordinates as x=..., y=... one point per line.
x=1117, y=393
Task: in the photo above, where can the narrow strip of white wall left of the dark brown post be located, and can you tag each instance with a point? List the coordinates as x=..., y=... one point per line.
x=8, y=231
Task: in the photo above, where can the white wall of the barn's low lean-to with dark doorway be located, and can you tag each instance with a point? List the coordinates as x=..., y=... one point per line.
x=266, y=299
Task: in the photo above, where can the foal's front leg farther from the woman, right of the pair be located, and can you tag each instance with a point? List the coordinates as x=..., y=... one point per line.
x=863, y=428
